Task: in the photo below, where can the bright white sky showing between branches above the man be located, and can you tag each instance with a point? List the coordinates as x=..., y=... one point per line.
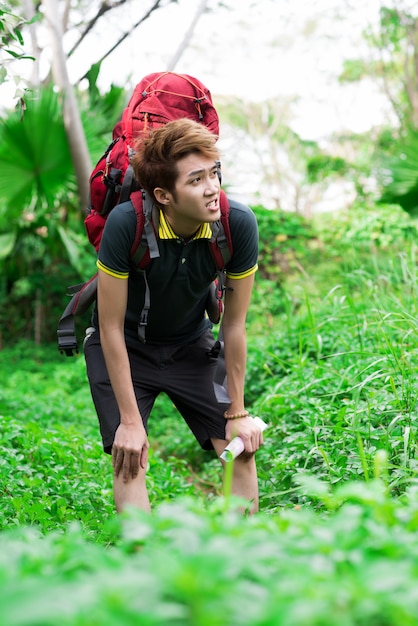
x=290, y=49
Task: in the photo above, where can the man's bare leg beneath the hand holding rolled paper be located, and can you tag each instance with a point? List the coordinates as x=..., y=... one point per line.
x=244, y=476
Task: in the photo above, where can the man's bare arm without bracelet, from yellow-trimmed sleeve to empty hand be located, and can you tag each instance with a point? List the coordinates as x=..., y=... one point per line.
x=130, y=447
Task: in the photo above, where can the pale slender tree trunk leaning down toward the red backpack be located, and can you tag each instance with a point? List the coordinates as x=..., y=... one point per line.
x=72, y=121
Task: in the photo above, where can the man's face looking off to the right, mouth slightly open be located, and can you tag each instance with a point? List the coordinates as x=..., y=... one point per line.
x=196, y=196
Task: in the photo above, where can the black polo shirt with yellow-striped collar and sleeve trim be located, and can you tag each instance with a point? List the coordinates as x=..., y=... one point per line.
x=179, y=279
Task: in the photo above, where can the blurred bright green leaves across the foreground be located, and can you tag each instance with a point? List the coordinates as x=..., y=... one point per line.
x=189, y=565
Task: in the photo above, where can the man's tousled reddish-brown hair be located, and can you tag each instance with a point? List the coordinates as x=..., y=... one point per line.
x=157, y=152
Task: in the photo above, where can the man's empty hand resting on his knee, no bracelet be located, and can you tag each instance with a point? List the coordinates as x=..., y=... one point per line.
x=129, y=450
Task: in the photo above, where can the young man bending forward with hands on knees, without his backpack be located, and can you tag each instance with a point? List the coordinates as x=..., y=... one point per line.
x=177, y=165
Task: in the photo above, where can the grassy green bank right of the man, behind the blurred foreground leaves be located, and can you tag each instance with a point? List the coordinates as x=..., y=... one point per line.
x=339, y=380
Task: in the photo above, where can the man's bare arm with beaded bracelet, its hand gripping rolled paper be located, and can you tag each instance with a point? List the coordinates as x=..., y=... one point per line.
x=237, y=301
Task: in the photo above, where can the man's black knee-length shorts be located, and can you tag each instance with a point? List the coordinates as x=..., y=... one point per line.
x=184, y=372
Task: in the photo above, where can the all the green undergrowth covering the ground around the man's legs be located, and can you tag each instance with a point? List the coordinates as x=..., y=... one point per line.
x=334, y=374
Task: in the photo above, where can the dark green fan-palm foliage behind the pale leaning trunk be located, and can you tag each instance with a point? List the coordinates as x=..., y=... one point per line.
x=43, y=246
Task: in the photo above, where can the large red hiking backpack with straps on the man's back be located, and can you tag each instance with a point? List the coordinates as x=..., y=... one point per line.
x=157, y=99
